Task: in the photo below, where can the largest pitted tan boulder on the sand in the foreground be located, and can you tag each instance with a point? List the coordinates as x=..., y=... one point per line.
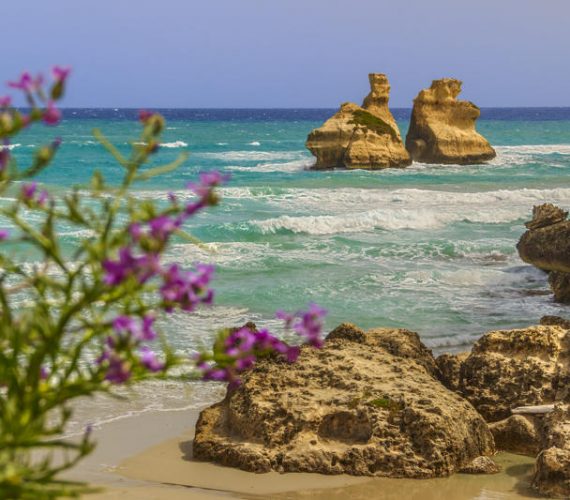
x=365, y=404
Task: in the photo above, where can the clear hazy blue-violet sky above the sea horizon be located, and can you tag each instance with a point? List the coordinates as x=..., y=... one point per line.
x=290, y=53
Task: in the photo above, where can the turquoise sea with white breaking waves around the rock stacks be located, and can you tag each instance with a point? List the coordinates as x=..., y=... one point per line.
x=430, y=248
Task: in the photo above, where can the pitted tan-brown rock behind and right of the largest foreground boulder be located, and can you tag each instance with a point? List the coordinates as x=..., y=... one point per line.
x=511, y=368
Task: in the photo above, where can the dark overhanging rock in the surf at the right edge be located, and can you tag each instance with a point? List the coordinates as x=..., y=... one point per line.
x=546, y=245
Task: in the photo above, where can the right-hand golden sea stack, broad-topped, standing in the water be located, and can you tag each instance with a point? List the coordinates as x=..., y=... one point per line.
x=442, y=128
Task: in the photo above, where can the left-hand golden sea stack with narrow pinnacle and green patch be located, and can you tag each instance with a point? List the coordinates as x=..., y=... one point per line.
x=361, y=137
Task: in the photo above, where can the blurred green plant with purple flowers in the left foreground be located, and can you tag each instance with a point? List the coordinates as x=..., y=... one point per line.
x=77, y=322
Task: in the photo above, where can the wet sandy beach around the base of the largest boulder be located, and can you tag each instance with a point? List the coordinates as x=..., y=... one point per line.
x=148, y=456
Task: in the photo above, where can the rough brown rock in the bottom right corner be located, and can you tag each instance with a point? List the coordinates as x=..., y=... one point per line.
x=552, y=471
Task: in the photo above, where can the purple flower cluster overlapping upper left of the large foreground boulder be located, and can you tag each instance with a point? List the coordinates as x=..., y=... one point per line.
x=238, y=350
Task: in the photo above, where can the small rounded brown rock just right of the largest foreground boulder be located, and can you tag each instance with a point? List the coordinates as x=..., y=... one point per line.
x=518, y=434
